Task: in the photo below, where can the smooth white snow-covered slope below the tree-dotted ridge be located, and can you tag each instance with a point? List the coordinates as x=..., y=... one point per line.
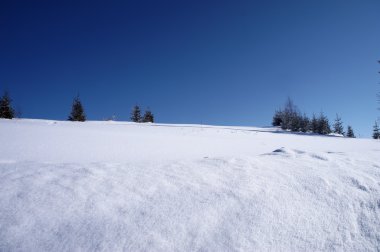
x=113, y=186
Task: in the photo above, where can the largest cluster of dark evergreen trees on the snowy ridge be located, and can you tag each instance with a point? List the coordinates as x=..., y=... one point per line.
x=290, y=118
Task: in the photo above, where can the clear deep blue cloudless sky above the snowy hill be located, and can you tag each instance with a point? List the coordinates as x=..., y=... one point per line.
x=216, y=62
